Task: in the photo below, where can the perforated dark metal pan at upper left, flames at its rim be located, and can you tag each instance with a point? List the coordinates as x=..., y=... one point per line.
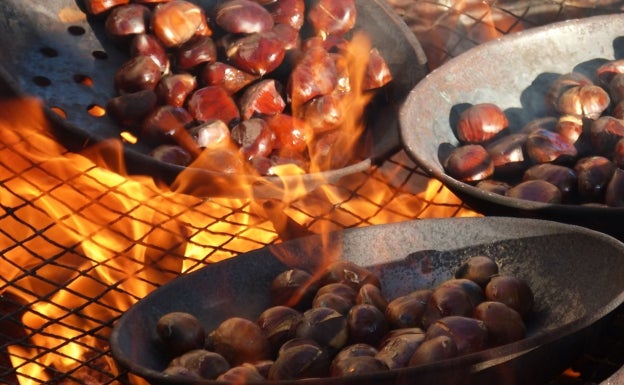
x=50, y=48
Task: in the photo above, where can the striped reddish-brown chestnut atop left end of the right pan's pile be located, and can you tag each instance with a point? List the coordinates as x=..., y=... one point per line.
x=480, y=123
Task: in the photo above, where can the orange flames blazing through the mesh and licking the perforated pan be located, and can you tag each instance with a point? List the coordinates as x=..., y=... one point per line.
x=83, y=241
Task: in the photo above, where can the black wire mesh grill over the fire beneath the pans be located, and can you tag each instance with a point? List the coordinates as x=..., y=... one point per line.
x=80, y=243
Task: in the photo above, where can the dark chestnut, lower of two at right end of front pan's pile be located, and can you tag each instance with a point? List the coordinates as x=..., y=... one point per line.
x=503, y=323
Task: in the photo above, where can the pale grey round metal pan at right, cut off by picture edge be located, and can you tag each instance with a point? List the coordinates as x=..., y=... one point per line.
x=513, y=72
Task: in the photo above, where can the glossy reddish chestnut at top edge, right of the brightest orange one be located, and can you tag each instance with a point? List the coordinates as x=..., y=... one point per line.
x=243, y=17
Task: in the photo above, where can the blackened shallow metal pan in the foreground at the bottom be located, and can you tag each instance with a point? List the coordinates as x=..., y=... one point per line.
x=575, y=273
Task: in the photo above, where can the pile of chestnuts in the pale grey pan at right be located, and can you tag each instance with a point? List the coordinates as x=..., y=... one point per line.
x=574, y=155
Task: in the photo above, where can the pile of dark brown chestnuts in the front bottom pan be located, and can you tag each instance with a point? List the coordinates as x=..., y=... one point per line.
x=339, y=323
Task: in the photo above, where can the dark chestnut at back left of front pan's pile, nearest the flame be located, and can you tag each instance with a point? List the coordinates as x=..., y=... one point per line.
x=295, y=288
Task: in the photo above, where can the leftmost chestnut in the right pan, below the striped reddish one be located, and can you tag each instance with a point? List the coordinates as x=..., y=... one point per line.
x=469, y=163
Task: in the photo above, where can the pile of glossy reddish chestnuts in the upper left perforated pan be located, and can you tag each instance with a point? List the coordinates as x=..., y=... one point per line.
x=242, y=87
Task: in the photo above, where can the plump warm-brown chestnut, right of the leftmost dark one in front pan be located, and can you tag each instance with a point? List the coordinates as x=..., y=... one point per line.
x=240, y=340
